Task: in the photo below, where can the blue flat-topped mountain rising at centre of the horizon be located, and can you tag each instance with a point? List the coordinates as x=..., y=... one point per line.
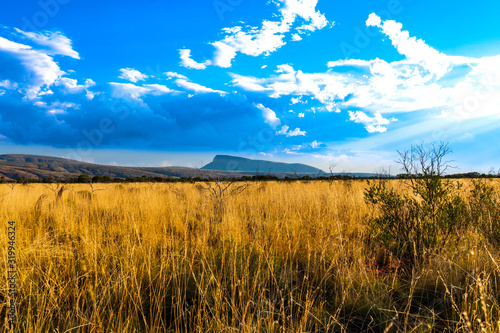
x=240, y=164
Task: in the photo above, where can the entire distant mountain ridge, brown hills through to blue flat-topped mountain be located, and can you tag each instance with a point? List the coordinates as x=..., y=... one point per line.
x=15, y=166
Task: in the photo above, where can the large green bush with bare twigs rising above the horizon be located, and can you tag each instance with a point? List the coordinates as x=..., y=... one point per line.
x=411, y=223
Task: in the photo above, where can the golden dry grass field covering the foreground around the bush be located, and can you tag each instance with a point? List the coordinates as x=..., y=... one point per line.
x=273, y=257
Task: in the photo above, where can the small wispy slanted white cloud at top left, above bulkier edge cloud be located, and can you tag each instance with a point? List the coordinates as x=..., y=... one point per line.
x=54, y=42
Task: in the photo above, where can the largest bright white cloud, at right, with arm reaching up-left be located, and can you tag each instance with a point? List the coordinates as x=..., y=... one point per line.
x=462, y=87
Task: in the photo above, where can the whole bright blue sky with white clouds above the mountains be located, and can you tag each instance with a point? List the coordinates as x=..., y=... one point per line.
x=157, y=82
